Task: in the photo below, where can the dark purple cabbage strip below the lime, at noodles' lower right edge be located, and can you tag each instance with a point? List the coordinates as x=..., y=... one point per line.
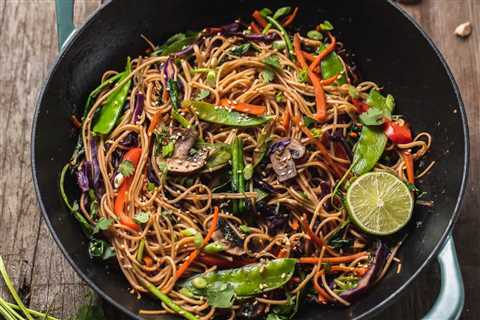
x=376, y=266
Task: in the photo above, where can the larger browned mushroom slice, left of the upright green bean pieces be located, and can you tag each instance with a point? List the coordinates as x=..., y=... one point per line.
x=181, y=161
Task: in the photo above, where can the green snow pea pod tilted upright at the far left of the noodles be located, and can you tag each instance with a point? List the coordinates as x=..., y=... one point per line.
x=110, y=112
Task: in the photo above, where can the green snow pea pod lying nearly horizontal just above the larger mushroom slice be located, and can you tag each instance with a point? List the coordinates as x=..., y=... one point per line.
x=214, y=114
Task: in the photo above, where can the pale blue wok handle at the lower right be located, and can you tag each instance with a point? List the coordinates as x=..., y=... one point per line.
x=450, y=300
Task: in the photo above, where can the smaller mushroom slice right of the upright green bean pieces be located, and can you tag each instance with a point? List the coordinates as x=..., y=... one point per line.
x=283, y=153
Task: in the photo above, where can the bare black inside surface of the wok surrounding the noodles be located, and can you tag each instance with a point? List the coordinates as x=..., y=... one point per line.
x=389, y=50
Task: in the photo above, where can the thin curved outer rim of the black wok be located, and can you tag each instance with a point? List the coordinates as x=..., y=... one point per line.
x=372, y=311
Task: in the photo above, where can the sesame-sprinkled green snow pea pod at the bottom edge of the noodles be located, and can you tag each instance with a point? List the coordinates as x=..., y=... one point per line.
x=249, y=280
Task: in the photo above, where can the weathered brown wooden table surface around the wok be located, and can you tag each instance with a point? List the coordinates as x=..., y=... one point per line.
x=28, y=48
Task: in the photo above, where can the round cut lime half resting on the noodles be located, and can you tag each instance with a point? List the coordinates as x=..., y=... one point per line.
x=379, y=203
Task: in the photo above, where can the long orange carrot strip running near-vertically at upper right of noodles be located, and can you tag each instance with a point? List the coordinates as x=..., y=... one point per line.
x=317, y=85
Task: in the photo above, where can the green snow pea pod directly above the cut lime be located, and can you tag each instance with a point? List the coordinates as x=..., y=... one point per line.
x=368, y=149
